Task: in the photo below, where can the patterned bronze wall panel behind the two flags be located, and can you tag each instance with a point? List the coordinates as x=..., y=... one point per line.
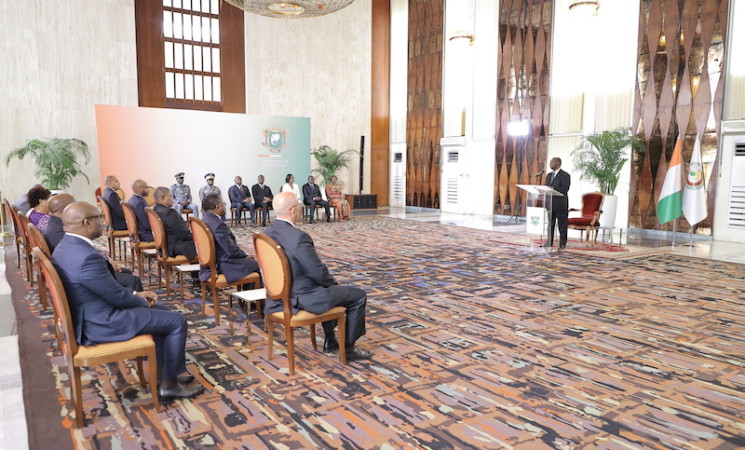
x=678, y=91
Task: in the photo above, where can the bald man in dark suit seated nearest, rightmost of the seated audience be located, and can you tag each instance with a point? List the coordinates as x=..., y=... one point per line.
x=313, y=288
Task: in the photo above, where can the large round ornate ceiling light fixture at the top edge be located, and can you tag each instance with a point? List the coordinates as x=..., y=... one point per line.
x=291, y=9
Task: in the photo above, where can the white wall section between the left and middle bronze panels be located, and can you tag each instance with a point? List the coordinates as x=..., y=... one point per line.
x=469, y=110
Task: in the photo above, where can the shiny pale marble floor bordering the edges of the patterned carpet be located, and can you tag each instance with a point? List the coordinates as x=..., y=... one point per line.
x=12, y=416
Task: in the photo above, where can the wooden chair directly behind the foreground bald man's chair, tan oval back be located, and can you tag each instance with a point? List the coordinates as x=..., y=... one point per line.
x=206, y=254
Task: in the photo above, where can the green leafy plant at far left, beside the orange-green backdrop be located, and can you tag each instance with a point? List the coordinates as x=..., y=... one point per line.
x=56, y=160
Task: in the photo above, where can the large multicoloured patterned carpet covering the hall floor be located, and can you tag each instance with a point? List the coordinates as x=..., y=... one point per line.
x=478, y=344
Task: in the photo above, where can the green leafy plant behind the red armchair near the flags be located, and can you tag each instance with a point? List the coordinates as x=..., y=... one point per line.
x=600, y=157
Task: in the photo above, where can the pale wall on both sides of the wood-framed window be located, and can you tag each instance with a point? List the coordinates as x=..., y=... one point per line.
x=59, y=59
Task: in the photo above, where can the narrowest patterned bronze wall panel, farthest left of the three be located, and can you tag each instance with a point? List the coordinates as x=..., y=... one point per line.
x=424, y=119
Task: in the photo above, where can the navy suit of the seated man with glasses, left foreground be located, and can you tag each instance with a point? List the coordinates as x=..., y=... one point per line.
x=104, y=311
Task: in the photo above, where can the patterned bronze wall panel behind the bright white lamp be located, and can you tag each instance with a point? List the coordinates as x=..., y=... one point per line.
x=522, y=94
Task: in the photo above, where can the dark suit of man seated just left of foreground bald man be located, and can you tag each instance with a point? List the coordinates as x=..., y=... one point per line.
x=231, y=261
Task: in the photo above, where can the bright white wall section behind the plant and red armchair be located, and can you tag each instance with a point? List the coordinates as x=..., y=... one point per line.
x=592, y=85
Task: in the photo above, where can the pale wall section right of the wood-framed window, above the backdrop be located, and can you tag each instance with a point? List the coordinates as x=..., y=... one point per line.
x=318, y=68
